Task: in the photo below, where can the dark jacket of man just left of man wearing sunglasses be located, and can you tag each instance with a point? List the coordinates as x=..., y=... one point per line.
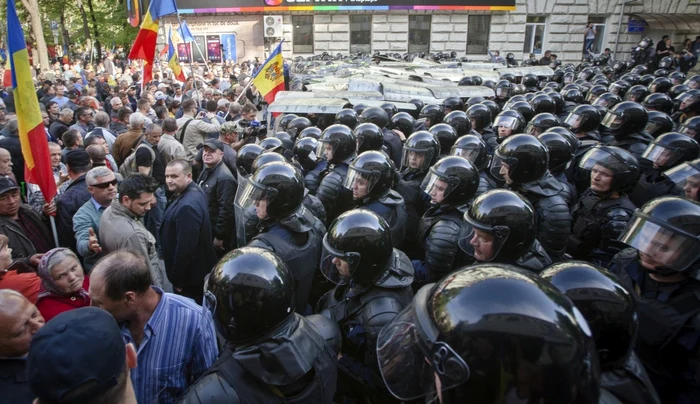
x=67, y=205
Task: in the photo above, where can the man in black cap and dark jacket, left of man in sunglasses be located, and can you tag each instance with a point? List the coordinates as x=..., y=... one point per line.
x=75, y=195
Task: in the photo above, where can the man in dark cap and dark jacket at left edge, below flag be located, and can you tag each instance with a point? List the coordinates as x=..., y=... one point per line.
x=26, y=230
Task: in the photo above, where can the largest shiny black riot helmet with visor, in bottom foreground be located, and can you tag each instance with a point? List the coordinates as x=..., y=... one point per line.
x=462, y=333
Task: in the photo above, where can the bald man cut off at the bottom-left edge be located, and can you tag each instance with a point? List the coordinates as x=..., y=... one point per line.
x=19, y=320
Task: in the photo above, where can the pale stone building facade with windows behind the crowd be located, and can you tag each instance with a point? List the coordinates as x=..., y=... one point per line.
x=522, y=27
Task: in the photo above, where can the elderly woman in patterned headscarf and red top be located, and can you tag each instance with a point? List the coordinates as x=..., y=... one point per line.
x=64, y=285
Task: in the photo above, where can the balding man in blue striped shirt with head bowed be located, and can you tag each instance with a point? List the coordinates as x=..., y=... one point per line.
x=175, y=340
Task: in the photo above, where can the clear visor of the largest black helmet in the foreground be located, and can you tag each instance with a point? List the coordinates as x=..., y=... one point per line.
x=410, y=359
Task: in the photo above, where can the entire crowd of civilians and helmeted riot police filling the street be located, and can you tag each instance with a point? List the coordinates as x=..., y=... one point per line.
x=542, y=245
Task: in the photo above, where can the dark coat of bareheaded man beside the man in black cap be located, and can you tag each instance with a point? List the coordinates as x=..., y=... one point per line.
x=188, y=249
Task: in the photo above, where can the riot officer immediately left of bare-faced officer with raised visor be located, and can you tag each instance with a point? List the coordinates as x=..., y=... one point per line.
x=522, y=161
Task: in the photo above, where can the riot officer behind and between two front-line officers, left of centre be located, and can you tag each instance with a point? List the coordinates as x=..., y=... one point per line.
x=337, y=144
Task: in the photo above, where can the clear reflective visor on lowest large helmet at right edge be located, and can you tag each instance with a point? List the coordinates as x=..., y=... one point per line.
x=661, y=246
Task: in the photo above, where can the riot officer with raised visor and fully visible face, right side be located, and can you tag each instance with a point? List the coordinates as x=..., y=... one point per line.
x=603, y=210
